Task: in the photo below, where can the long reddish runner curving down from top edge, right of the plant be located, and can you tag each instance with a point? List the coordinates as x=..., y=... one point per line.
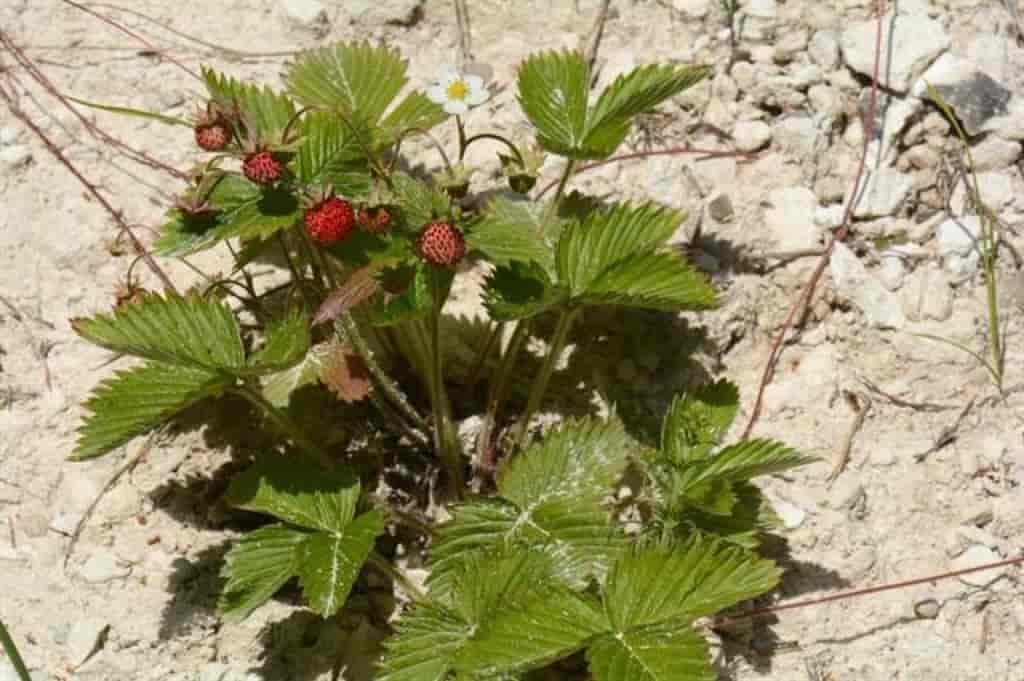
x=798, y=311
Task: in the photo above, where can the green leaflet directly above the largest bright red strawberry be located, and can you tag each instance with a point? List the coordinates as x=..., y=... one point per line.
x=331, y=155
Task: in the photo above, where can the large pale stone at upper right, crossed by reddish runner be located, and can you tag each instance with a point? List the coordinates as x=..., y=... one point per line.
x=910, y=45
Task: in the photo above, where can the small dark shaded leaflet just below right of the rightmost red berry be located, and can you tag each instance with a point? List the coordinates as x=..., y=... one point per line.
x=520, y=291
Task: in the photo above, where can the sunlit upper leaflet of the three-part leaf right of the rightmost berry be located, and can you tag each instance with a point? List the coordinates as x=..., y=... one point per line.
x=607, y=239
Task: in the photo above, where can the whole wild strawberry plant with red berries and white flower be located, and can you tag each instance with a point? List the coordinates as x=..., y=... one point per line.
x=533, y=563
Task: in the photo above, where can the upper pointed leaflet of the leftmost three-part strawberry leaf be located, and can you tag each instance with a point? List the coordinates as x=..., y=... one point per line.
x=173, y=329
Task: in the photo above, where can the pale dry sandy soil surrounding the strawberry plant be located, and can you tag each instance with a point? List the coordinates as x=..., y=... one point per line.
x=134, y=599
